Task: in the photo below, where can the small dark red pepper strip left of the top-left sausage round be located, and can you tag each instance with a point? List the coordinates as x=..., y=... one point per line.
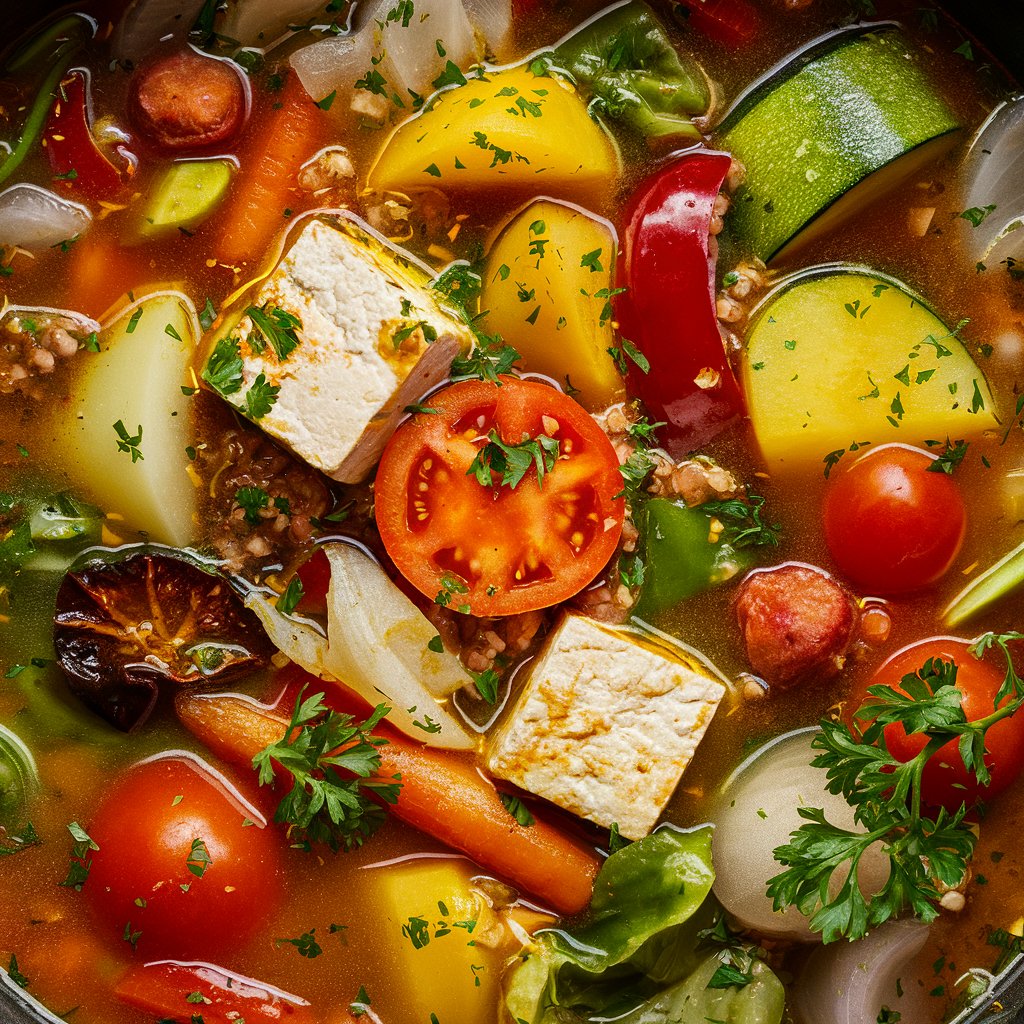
x=77, y=161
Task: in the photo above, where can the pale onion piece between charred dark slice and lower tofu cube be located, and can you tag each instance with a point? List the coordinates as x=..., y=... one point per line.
x=378, y=647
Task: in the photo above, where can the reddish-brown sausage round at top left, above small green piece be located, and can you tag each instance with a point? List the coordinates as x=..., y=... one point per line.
x=187, y=102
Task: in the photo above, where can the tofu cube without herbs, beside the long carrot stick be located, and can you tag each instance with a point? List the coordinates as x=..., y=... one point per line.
x=606, y=726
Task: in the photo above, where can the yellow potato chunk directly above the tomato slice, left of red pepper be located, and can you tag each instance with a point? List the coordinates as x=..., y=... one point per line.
x=548, y=288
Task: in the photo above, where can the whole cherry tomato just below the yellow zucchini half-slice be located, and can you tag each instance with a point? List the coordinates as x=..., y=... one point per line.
x=892, y=526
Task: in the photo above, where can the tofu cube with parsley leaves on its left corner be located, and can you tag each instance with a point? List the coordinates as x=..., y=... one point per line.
x=373, y=339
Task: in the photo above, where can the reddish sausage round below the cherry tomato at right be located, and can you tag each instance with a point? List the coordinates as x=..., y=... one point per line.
x=797, y=622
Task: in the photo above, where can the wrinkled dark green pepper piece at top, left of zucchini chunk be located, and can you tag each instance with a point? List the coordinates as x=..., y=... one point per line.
x=627, y=62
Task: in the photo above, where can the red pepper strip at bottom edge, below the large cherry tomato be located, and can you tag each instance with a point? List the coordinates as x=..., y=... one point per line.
x=183, y=992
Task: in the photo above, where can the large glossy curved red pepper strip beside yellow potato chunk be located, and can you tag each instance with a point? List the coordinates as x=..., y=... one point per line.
x=668, y=308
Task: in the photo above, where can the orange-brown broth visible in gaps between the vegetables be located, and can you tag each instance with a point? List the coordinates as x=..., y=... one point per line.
x=71, y=966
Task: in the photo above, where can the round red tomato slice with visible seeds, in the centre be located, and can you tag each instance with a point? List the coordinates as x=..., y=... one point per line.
x=499, y=550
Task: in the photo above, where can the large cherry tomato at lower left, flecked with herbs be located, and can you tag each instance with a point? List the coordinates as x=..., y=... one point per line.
x=179, y=872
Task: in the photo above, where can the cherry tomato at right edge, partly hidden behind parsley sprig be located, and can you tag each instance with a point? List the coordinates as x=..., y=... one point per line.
x=947, y=783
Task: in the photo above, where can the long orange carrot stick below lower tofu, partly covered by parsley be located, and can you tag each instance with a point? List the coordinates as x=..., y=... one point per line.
x=442, y=795
